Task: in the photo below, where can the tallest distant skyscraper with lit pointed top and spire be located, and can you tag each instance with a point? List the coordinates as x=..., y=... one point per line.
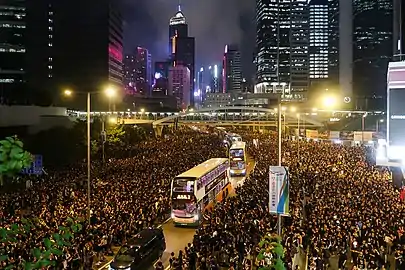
x=182, y=47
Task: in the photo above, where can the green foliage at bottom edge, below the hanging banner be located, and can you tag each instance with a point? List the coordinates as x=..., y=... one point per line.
x=271, y=253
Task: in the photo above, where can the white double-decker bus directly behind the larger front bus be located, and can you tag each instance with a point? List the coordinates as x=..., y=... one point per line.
x=237, y=159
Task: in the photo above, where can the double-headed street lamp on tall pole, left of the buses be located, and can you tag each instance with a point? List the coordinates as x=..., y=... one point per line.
x=108, y=92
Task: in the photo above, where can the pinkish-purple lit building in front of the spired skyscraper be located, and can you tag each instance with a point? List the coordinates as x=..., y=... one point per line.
x=179, y=85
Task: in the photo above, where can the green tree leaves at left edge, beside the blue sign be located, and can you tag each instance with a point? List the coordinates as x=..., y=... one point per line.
x=13, y=158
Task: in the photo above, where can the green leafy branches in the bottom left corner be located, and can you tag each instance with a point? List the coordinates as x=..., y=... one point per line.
x=52, y=245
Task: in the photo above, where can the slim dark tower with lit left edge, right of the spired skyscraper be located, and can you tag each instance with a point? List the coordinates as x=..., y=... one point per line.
x=232, y=70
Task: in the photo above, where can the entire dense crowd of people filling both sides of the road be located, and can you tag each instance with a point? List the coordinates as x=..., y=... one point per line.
x=344, y=211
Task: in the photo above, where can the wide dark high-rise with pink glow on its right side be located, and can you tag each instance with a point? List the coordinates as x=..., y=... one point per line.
x=80, y=55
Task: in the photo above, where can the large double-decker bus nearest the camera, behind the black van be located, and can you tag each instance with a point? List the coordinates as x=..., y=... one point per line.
x=193, y=190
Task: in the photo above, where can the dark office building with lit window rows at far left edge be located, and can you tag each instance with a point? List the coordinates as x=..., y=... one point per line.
x=12, y=49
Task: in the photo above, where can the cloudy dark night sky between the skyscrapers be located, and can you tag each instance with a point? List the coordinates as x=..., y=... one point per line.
x=213, y=23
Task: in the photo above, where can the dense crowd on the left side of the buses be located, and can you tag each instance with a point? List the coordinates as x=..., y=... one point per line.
x=127, y=196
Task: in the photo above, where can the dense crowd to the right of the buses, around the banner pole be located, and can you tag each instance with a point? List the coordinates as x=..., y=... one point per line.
x=344, y=211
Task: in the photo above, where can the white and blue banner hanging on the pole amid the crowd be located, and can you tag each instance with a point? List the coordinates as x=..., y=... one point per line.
x=279, y=193
